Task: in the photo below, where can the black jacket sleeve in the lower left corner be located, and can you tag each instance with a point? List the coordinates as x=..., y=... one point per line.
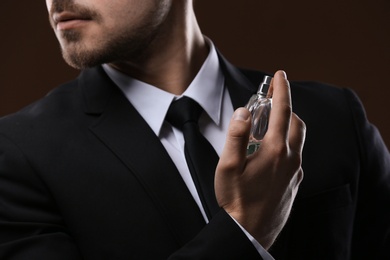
x=30, y=226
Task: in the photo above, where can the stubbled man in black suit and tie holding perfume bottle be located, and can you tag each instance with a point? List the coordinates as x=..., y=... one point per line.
x=96, y=170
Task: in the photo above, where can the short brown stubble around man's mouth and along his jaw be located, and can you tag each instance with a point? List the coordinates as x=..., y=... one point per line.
x=109, y=44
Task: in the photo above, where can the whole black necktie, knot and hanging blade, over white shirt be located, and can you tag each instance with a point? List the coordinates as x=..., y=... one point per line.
x=200, y=155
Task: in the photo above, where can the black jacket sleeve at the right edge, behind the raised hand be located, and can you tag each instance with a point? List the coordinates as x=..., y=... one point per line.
x=372, y=219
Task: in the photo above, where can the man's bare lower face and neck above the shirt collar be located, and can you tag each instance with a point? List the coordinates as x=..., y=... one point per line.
x=156, y=41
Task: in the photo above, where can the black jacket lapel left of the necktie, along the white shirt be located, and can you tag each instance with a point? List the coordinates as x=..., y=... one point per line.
x=121, y=128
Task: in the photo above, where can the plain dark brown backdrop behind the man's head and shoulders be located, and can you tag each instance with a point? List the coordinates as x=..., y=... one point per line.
x=342, y=42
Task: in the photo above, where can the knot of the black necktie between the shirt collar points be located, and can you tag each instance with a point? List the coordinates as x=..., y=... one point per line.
x=182, y=111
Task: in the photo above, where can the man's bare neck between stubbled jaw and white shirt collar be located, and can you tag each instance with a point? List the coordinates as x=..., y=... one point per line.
x=174, y=59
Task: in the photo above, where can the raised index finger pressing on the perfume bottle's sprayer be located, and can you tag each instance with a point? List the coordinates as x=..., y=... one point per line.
x=280, y=117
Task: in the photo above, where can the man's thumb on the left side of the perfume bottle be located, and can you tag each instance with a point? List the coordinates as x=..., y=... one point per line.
x=234, y=153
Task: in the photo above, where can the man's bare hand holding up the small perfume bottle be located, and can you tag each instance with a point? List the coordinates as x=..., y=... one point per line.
x=258, y=190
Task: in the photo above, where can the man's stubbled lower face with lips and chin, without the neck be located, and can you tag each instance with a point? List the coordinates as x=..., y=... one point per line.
x=105, y=32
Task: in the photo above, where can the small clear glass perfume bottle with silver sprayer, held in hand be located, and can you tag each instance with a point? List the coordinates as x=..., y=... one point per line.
x=259, y=105
